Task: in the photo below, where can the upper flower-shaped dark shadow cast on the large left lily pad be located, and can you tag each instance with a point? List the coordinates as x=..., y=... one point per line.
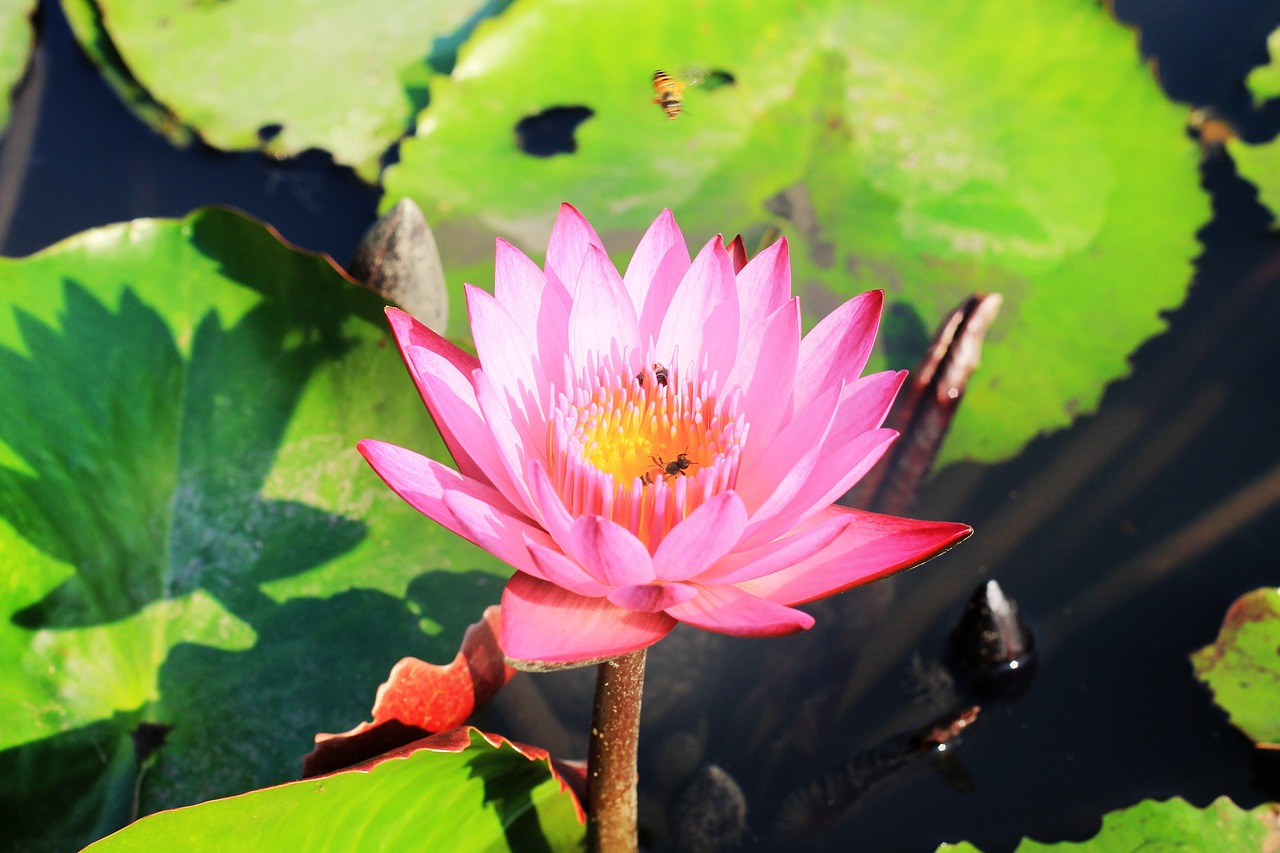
x=149, y=467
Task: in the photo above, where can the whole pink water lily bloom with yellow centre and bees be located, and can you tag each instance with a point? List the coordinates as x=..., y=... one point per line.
x=656, y=448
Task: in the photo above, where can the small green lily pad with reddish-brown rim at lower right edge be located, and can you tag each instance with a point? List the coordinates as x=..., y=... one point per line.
x=1242, y=667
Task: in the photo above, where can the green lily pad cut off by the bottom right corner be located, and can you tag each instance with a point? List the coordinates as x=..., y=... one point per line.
x=1172, y=825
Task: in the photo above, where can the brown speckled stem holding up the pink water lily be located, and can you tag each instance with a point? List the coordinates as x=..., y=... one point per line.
x=611, y=760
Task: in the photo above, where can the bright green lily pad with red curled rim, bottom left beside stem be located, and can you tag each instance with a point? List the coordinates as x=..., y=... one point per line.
x=481, y=795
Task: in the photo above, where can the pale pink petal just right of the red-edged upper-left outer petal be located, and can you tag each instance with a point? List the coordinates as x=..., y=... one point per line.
x=508, y=357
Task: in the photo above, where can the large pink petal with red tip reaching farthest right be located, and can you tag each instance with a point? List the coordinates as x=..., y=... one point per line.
x=871, y=548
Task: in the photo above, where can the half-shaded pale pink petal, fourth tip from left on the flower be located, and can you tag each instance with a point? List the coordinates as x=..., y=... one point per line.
x=540, y=307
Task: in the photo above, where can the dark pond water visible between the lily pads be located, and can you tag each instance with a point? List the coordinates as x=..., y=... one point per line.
x=1124, y=539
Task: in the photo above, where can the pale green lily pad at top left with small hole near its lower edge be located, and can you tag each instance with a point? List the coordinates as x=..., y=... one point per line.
x=284, y=77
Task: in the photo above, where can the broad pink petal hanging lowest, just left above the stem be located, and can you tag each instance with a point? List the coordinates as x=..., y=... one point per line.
x=543, y=624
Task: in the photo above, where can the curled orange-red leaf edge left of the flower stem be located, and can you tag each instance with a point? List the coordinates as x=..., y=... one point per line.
x=420, y=699
